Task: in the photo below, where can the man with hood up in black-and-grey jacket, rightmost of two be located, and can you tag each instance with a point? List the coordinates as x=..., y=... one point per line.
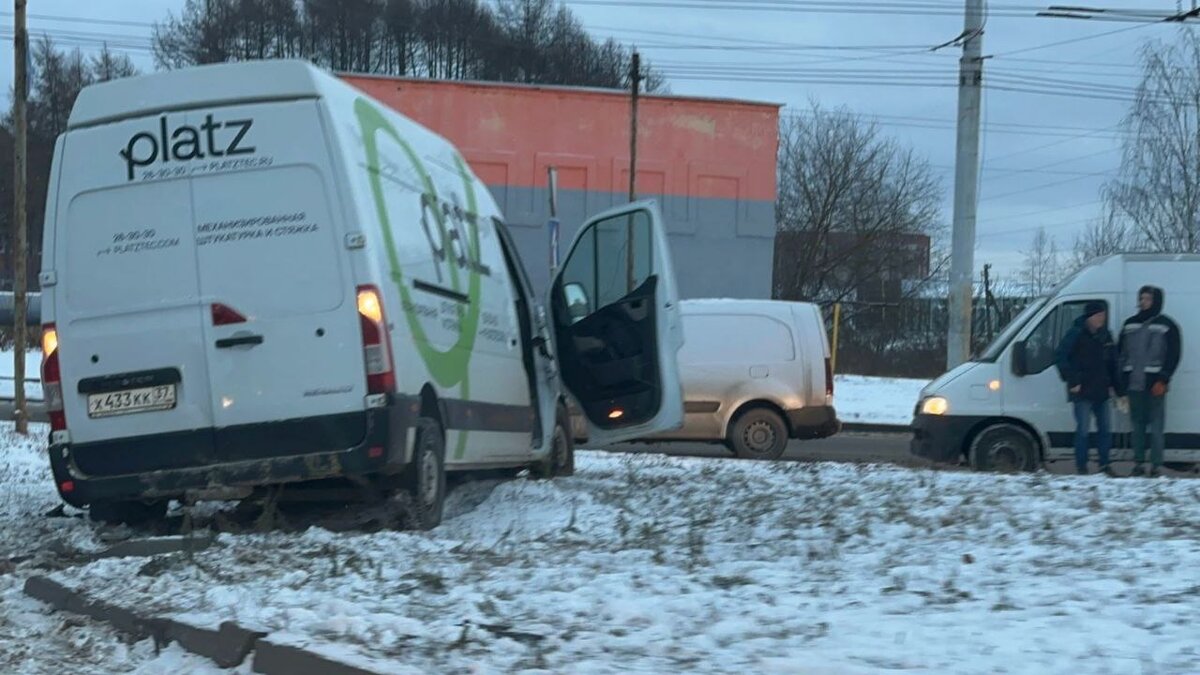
x=1150, y=354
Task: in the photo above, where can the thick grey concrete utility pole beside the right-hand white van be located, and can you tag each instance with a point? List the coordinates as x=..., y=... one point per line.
x=967, y=186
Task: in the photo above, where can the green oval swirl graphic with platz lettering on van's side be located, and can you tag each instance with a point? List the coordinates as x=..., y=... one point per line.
x=448, y=368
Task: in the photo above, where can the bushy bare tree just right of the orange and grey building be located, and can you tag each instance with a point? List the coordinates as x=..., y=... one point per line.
x=849, y=204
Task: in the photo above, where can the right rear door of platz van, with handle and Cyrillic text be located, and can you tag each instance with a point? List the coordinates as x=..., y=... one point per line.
x=281, y=330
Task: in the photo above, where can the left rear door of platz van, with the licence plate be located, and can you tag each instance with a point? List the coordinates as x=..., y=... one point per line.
x=128, y=297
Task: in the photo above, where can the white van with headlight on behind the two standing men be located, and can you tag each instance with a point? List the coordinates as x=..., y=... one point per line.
x=1007, y=410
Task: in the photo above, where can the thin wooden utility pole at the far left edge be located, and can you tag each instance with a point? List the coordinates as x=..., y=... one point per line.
x=20, y=331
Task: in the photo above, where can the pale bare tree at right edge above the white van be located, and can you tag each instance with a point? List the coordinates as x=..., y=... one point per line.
x=1157, y=195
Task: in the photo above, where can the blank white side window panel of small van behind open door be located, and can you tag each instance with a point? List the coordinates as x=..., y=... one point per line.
x=718, y=339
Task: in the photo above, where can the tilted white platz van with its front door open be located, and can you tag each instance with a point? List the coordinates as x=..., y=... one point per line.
x=255, y=274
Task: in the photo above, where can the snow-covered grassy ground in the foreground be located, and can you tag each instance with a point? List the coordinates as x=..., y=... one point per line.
x=658, y=565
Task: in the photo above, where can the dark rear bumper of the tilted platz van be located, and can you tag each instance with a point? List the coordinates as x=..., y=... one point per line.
x=385, y=445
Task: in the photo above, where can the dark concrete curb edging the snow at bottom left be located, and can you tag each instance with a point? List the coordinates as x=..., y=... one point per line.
x=227, y=647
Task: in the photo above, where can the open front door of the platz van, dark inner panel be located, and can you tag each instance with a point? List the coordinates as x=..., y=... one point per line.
x=617, y=328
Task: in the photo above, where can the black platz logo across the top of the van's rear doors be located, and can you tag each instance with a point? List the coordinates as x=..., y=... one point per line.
x=187, y=144
